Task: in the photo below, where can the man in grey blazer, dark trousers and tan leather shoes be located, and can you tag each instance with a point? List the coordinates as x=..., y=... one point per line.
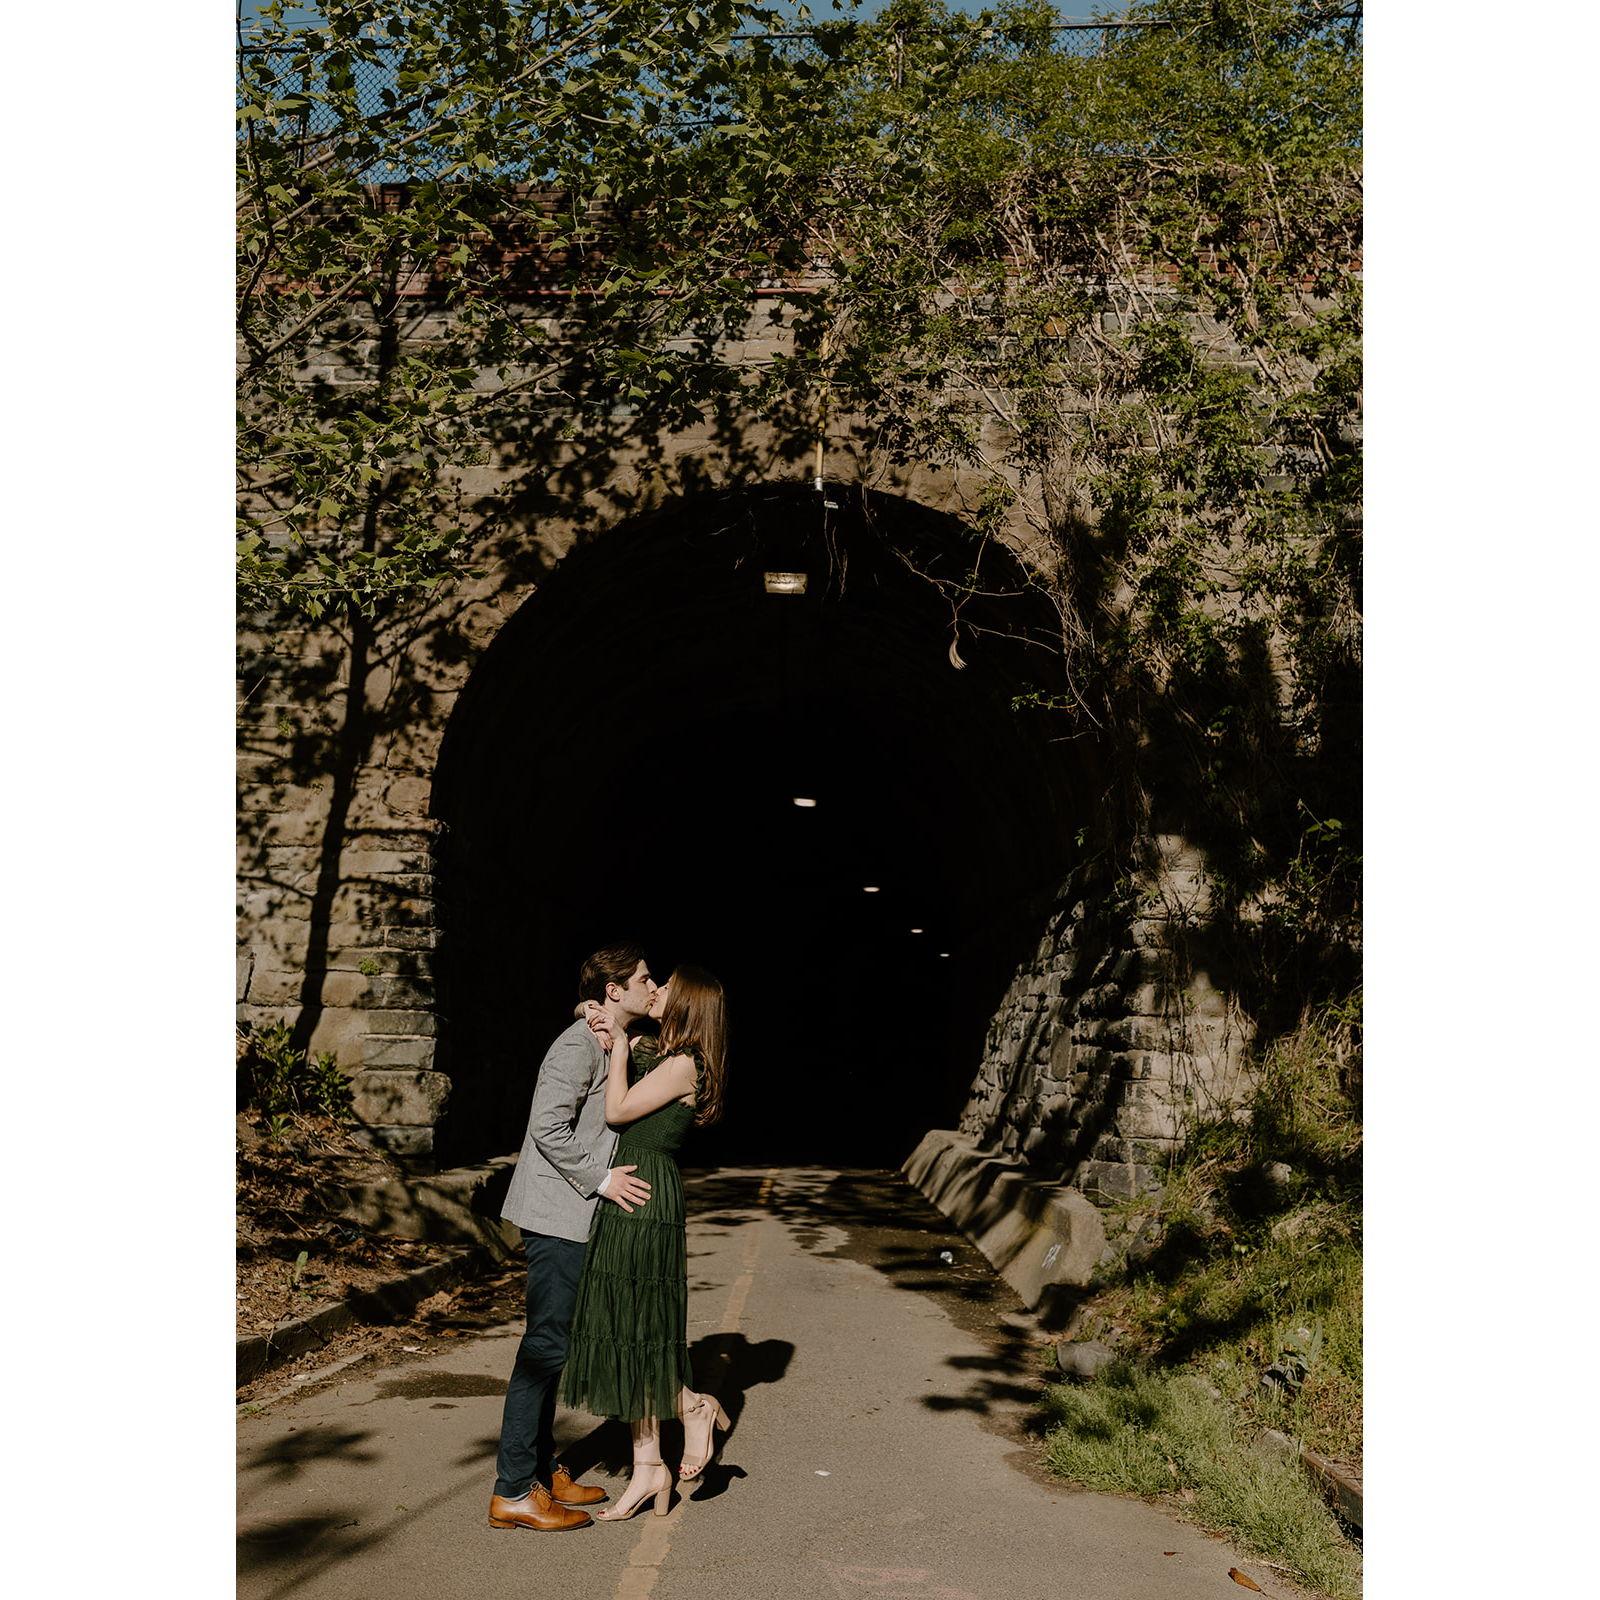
x=562, y=1174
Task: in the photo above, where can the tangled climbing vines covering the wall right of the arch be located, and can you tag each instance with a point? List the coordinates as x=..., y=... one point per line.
x=1114, y=281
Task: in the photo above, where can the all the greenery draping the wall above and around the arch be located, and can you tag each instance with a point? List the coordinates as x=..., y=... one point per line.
x=1113, y=279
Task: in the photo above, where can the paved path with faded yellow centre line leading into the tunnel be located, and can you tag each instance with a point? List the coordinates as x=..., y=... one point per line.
x=878, y=1444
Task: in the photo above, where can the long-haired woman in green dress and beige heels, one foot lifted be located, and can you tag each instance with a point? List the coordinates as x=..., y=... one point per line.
x=628, y=1356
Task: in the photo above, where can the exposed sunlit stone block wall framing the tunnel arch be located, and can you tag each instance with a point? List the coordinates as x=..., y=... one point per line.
x=1105, y=1049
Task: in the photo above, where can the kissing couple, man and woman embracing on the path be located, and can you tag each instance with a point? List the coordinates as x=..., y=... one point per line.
x=609, y=1284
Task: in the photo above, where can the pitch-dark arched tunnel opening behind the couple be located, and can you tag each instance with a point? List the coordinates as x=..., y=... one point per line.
x=626, y=762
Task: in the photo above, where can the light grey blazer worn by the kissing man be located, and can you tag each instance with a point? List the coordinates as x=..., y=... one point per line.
x=569, y=1146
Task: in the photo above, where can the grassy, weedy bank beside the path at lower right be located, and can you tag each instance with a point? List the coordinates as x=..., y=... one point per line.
x=1238, y=1313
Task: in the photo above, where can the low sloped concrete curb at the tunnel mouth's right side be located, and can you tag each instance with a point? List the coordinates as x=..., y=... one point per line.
x=1044, y=1239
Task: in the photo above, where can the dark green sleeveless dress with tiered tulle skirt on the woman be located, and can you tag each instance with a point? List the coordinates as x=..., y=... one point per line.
x=628, y=1354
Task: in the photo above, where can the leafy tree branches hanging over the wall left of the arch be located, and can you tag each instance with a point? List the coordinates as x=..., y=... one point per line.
x=442, y=158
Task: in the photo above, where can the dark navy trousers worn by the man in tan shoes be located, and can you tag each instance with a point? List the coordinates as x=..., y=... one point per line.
x=529, y=1423
